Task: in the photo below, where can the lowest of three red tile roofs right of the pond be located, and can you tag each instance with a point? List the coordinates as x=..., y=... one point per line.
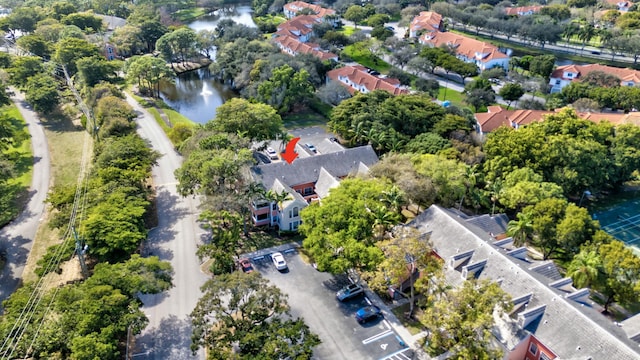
x=358, y=75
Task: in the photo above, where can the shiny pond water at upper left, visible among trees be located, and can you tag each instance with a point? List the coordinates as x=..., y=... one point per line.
x=196, y=94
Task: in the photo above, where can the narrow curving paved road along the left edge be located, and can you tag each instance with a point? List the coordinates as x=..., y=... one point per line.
x=17, y=237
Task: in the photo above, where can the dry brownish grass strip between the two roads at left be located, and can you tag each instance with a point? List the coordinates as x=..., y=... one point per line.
x=66, y=142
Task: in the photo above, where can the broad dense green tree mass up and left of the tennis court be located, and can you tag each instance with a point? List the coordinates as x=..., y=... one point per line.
x=573, y=153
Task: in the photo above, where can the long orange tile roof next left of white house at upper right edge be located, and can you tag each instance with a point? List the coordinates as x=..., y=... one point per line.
x=465, y=46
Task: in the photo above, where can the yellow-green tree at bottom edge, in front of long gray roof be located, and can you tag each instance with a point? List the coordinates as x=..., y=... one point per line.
x=454, y=327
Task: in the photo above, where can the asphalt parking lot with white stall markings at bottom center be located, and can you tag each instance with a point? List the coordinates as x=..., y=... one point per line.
x=312, y=295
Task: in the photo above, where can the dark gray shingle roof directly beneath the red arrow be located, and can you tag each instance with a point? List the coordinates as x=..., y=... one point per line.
x=306, y=170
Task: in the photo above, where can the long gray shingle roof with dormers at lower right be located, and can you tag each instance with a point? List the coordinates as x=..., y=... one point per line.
x=569, y=328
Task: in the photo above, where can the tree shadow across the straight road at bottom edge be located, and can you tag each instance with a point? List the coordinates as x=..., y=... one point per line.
x=170, y=340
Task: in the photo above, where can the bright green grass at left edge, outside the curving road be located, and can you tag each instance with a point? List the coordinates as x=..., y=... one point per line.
x=23, y=157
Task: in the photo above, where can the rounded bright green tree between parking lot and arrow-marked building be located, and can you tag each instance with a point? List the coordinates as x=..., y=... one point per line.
x=339, y=231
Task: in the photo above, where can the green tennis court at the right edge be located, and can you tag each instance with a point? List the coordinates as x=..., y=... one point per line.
x=623, y=223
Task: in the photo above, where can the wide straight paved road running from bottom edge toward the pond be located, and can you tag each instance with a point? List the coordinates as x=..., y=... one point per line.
x=168, y=335
